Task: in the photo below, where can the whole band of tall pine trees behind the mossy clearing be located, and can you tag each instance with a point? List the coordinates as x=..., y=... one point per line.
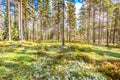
x=99, y=21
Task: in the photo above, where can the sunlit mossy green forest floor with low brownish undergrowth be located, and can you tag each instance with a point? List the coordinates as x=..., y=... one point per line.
x=50, y=61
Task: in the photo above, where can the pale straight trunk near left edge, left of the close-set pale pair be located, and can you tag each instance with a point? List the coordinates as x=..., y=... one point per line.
x=8, y=19
